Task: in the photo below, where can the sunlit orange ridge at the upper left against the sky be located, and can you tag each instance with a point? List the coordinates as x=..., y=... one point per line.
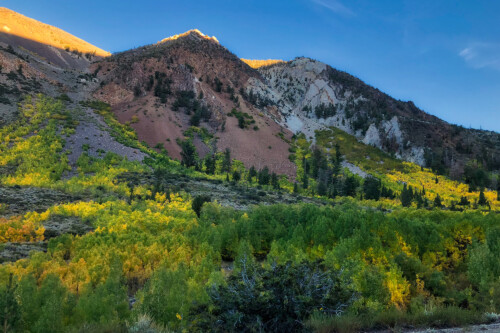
x=18, y=25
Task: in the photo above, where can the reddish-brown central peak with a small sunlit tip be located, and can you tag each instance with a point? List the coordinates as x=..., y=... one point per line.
x=165, y=88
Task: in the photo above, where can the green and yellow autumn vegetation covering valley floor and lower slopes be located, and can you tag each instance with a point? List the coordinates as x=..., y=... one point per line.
x=160, y=260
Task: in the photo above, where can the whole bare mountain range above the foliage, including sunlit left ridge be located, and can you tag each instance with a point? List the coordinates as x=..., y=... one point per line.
x=251, y=107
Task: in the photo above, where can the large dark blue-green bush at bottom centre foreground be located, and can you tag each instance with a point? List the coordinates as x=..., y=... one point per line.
x=278, y=299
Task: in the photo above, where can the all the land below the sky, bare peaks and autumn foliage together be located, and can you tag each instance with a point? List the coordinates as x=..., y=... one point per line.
x=178, y=188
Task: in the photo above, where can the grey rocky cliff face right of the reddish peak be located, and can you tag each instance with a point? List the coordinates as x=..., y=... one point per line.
x=311, y=95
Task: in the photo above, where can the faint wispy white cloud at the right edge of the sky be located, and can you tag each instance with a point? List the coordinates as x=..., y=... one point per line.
x=482, y=55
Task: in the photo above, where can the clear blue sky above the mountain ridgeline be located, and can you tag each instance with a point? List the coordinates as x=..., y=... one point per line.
x=443, y=55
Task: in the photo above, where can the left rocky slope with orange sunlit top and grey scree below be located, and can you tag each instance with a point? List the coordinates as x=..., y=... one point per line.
x=40, y=64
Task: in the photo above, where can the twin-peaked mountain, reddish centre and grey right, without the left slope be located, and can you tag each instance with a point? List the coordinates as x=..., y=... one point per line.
x=298, y=96
